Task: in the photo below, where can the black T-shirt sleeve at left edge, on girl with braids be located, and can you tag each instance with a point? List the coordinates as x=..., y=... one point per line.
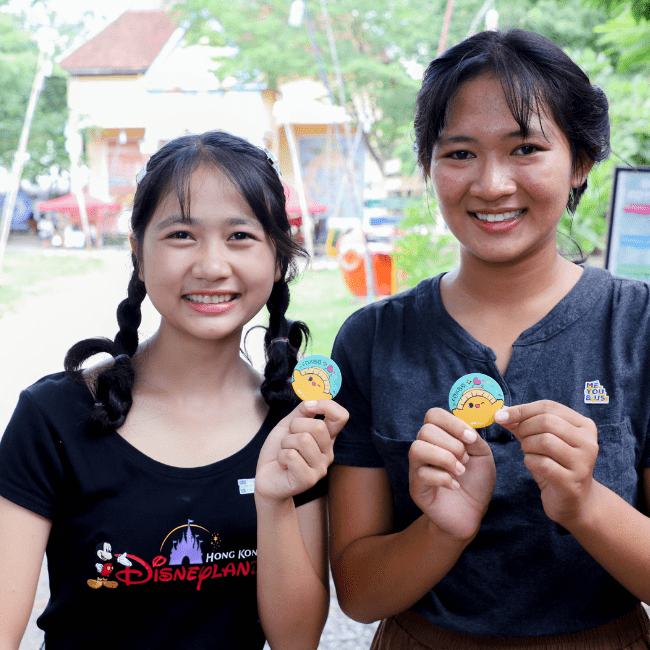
x=31, y=469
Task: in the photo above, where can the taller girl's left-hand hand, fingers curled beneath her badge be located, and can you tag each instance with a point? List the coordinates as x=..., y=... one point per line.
x=451, y=473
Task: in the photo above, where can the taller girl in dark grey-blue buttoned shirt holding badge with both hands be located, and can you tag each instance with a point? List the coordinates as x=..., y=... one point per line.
x=531, y=533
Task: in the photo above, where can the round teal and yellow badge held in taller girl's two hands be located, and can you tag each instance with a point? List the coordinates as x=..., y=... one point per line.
x=475, y=398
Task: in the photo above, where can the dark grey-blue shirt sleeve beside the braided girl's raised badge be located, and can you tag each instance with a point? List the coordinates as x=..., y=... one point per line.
x=353, y=354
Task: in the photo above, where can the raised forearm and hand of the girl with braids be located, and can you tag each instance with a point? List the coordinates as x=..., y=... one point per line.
x=292, y=578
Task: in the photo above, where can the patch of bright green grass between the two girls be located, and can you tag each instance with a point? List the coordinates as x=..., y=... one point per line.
x=321, y=299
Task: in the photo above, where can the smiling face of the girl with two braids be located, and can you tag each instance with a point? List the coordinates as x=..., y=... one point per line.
x=207, y=276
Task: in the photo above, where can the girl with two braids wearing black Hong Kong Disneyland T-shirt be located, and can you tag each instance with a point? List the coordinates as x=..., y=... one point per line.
x=179, y=497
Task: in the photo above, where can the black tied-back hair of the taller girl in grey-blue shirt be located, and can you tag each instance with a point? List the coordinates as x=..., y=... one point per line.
x=535, y=75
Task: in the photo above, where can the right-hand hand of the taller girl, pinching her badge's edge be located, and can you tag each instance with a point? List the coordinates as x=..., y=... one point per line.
x=560, y=449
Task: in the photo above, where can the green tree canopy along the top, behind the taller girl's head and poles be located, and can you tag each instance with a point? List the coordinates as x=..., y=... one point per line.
x=376, y=45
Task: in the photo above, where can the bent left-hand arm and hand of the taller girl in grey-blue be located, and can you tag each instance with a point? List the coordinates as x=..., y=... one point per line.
x=379, y=573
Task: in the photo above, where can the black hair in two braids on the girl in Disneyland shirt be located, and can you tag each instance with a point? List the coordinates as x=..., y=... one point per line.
x=252, y=172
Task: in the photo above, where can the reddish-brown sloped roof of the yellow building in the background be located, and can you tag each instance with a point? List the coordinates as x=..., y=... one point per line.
x=127, y=46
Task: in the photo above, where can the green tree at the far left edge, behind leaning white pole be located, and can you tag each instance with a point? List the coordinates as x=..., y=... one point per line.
x=18, y=58
